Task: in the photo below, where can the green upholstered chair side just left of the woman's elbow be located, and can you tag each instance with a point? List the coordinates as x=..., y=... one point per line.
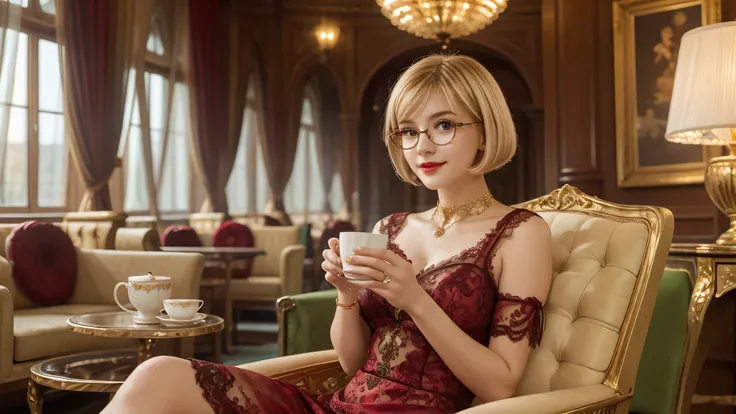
x=304, y=322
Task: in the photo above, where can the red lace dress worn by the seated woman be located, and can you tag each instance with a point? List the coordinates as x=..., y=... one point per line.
x=403, y=373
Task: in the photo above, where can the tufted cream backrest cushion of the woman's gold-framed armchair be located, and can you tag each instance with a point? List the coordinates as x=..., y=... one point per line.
x=596, y=262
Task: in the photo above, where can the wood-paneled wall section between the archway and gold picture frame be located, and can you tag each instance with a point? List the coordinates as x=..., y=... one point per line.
x=580, y=116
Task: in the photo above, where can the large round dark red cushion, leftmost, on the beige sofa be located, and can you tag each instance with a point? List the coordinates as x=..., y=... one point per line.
x=44, y=262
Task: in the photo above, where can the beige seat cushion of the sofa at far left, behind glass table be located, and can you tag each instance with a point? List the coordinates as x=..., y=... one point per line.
x=42, y=332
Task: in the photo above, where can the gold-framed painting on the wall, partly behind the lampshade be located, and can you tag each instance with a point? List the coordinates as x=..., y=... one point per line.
x=644, y=64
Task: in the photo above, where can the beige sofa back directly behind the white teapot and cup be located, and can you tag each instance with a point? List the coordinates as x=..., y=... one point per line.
x=100, y=270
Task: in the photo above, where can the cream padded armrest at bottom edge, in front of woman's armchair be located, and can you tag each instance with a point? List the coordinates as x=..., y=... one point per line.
x=589, y=397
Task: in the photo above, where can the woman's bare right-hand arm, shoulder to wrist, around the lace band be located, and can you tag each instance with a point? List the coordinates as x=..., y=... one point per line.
x=492, y=373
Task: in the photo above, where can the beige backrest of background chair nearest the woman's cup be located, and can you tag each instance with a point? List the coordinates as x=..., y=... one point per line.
x=273, y=240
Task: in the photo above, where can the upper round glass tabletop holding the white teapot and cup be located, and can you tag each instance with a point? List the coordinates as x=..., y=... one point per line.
x=121, y=325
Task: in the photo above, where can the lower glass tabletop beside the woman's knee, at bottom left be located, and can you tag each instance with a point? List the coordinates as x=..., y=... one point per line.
x=98, y=371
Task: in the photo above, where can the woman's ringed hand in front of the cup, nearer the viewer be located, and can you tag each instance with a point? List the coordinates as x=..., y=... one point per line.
x=390, y=276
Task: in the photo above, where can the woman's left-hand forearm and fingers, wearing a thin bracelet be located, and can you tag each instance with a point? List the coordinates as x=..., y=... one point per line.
x=349, y=333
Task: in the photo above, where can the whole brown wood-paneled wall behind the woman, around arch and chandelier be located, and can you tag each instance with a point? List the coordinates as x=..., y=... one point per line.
x=562, y=49
